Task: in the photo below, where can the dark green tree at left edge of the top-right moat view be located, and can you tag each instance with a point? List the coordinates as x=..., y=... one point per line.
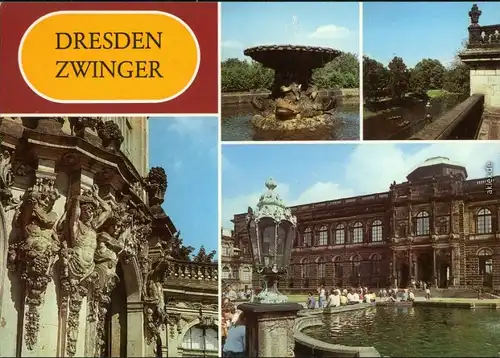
x=375, y=78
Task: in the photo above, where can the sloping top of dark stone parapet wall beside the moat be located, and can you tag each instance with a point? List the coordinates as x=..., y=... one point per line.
x=461, y=122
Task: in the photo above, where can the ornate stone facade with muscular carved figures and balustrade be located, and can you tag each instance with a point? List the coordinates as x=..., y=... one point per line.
x=90, y=262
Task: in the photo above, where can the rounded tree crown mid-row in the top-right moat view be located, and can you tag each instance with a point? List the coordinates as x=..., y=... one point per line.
x=427, y=74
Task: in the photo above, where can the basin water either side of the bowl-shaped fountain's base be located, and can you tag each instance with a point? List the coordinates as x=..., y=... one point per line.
x=236, y=126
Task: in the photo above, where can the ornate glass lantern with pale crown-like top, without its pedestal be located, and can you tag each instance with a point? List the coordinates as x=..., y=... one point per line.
x=271, y=229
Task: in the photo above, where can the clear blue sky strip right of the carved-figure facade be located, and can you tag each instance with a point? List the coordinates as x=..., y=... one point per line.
x=186, y=147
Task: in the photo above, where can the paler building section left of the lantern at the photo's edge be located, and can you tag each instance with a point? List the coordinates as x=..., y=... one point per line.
x=237, y=268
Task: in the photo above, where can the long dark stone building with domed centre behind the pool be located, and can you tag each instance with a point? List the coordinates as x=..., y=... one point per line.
x=438, y=227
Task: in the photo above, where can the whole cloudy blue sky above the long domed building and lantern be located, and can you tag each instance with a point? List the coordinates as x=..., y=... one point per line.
x=319, y=172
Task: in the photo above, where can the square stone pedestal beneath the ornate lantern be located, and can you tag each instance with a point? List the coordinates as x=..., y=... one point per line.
x=269, y=331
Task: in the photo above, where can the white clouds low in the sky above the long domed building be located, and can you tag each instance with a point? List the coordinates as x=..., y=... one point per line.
x=371, y=168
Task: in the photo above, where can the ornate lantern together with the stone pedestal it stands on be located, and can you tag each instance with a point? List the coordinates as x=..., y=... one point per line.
x=270, y=319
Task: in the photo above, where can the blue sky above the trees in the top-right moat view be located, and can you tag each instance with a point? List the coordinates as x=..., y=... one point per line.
x=418, y=30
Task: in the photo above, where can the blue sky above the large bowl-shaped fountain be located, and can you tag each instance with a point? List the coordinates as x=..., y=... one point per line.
x=329, y=24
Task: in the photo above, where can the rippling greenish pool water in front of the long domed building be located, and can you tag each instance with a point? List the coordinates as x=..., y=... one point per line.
x=415, y=331
